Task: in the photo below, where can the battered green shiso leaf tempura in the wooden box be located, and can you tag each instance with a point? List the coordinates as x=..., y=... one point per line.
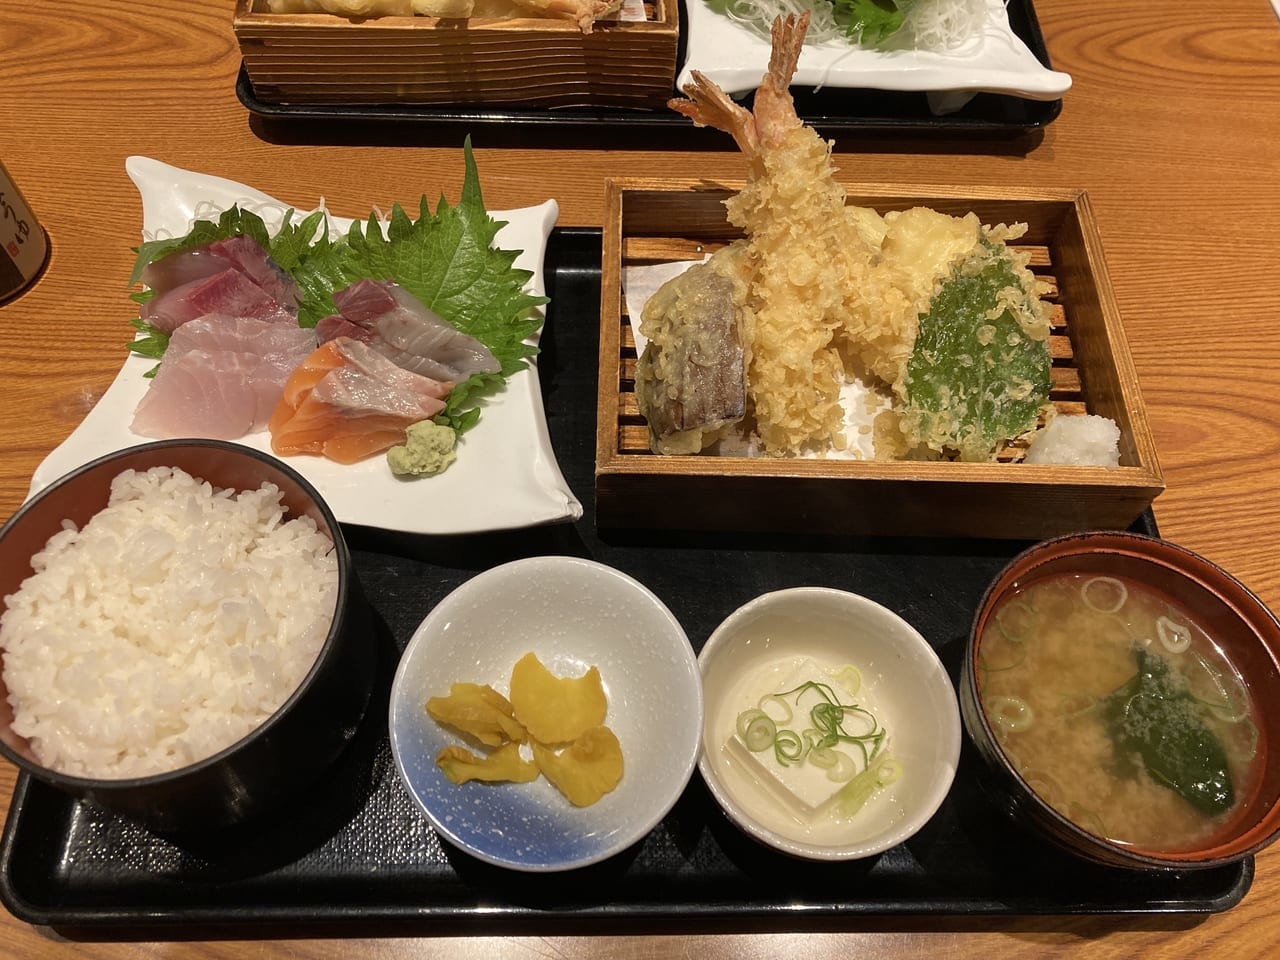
x=973, y=382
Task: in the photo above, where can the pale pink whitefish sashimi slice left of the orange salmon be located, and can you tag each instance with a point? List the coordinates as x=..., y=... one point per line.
x=222, y=378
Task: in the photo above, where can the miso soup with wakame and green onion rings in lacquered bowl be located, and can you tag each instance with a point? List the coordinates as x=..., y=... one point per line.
x=1118, y=710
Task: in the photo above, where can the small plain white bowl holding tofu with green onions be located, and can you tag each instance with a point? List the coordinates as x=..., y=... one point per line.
x=903, y=682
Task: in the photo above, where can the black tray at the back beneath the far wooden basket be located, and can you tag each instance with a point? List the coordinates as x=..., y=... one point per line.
x=830, y=111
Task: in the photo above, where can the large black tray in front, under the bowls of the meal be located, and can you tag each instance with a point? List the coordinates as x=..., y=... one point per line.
x=354, y=856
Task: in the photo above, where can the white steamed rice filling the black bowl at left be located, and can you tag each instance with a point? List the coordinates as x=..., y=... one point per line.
x=177, y=621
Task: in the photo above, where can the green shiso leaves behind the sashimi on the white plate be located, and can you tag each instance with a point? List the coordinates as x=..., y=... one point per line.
x=446, y=259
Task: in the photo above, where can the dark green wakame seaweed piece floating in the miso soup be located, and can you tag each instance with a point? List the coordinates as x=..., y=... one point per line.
x=1155, y=719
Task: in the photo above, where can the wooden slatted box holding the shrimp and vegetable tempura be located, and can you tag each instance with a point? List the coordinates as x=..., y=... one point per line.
x=1092, y=372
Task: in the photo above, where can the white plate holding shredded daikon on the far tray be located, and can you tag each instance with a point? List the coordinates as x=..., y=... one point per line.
x=998, y=62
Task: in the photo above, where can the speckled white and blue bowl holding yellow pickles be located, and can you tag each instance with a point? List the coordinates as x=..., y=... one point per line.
x=574, y=614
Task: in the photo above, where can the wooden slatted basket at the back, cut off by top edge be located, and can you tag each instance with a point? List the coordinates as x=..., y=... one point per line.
x=531, y=63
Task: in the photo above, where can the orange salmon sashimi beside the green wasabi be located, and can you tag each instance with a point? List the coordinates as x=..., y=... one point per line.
x=348, y=403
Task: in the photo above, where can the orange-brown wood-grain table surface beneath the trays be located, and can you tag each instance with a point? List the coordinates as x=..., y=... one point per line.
x=1173, y=125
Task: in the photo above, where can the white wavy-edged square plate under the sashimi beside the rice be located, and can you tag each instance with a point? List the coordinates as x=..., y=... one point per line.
x=506, y=474
